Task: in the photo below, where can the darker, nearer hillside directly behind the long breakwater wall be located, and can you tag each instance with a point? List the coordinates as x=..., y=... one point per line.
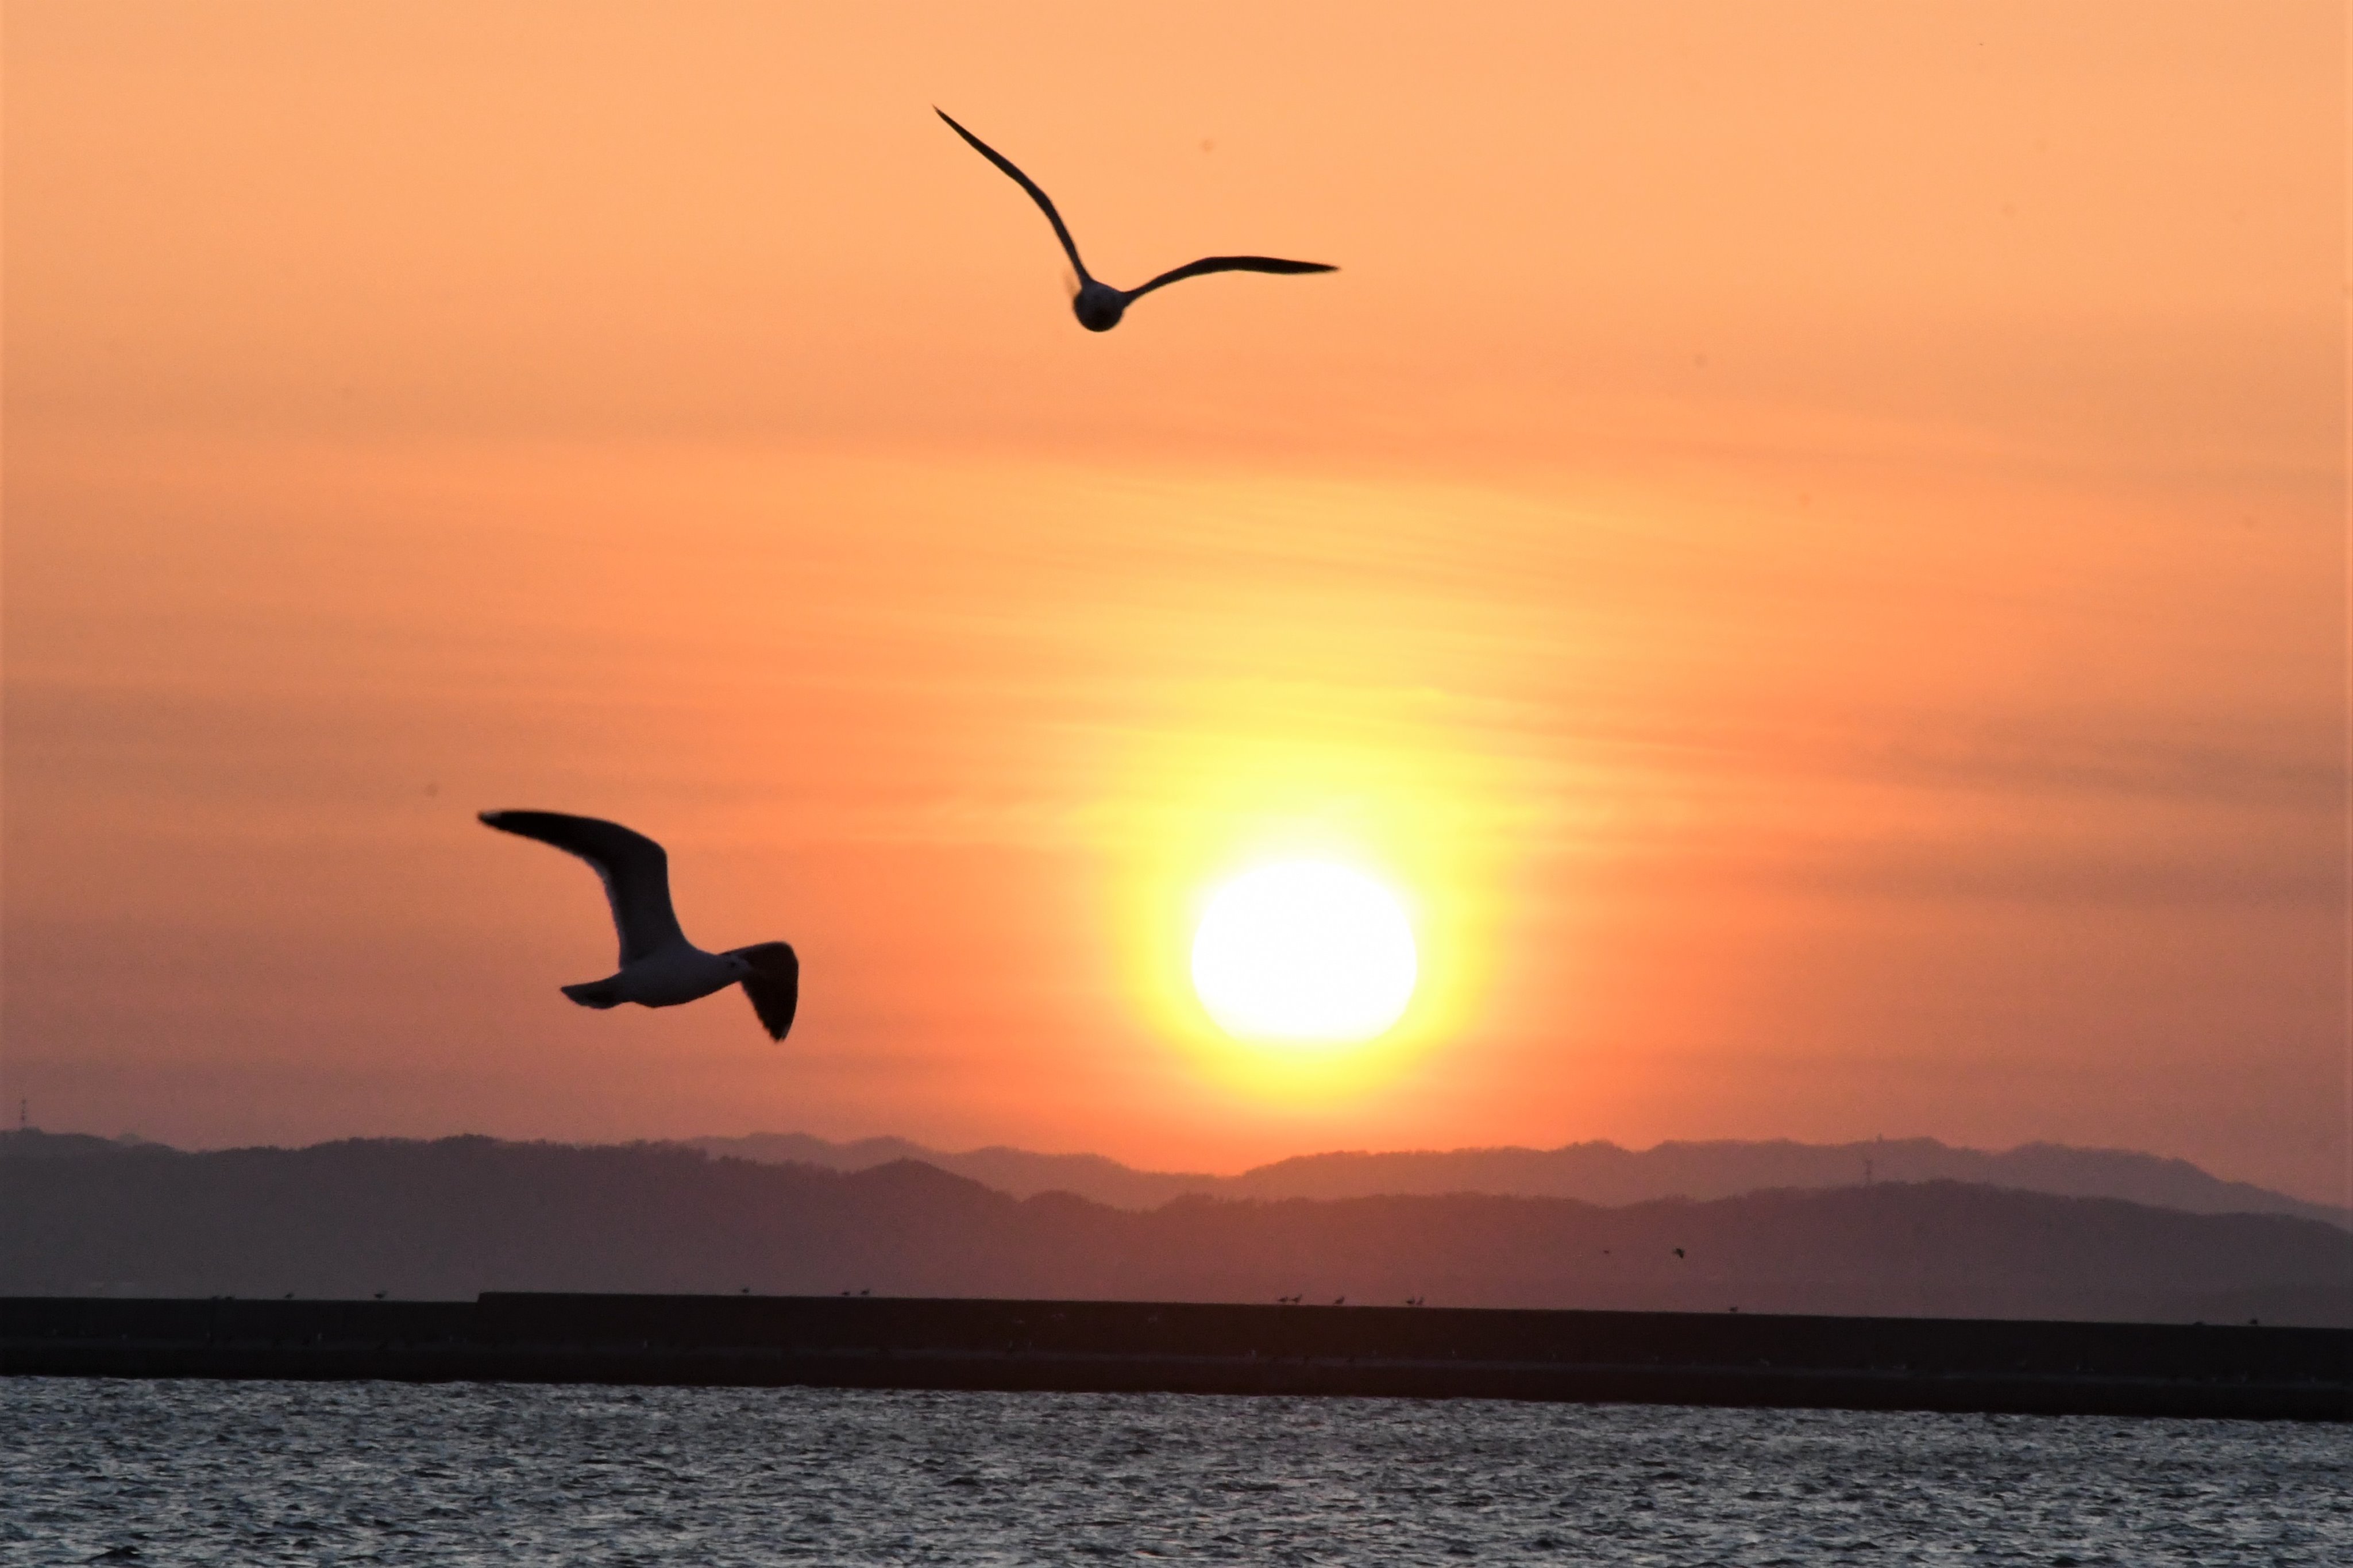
x=467, y=1214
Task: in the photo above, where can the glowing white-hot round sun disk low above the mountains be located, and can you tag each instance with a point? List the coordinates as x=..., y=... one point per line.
x=1305, y=953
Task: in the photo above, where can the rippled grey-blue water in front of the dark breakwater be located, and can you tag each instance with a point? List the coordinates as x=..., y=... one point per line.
x=284, y=1473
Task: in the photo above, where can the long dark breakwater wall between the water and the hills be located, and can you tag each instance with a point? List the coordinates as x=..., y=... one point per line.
x=1036, y=1346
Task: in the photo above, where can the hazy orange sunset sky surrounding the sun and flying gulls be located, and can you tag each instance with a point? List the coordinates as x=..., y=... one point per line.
x=1806, y=540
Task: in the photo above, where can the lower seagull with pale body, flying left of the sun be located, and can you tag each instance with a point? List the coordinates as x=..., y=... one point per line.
x=660, y=967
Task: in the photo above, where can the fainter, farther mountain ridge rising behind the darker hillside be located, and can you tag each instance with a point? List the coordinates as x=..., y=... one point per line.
x=1589, y=1172
